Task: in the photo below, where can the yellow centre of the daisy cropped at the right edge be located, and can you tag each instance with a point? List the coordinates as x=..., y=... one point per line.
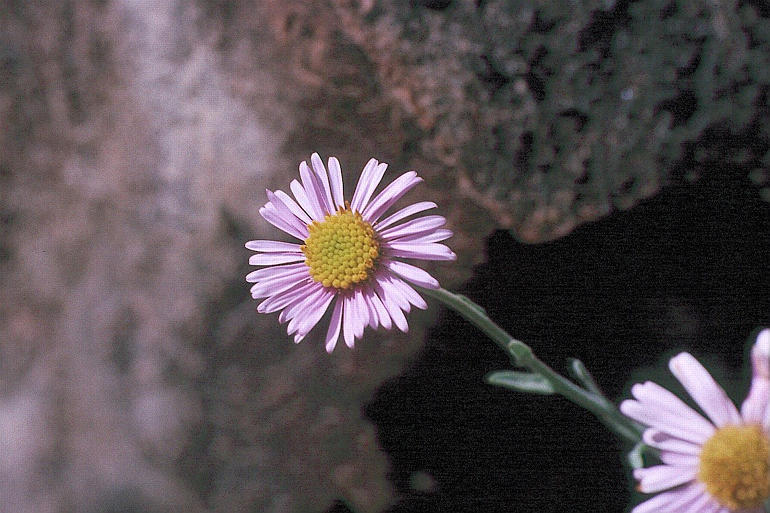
x=735, y=466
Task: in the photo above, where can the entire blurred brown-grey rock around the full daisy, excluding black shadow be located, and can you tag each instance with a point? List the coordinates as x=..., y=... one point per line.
x=137, y=137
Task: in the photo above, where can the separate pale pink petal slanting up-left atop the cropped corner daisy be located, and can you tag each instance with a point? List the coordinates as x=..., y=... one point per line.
x=711, y=398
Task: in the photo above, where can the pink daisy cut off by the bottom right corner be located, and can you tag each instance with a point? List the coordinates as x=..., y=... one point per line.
x=715, y=465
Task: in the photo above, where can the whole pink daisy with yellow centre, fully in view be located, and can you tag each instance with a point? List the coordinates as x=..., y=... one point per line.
x=349, y=255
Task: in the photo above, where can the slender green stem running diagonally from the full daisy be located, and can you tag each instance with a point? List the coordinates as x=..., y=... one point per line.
x=523, y=356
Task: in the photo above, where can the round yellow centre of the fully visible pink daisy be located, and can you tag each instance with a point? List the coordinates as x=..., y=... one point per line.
x=341, y=250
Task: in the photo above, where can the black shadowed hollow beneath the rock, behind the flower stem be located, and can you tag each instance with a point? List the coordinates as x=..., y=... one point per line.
x=686, y=270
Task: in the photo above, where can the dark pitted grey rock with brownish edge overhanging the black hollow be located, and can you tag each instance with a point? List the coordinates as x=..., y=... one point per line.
x=553, y=114
